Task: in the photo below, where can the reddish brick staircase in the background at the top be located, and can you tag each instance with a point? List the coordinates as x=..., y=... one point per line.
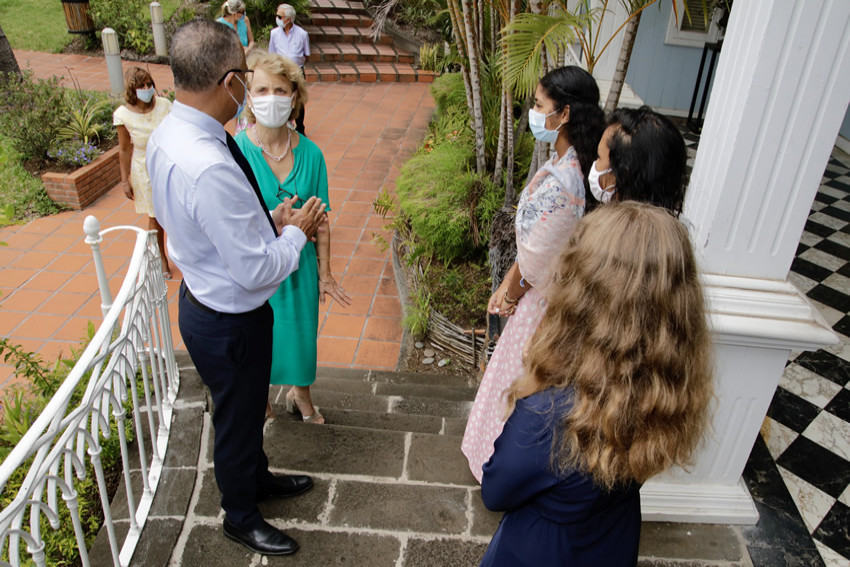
x=342, y=49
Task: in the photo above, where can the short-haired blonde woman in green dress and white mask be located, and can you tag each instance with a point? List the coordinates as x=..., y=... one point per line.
x=290, y=166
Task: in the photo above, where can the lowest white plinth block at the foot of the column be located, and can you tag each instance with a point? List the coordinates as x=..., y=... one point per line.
x=697, y=503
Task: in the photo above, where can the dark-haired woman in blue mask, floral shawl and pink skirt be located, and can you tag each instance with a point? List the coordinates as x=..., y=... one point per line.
x=566, y=113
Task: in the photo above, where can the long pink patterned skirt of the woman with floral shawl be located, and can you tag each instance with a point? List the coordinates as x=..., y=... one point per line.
x=488, y=412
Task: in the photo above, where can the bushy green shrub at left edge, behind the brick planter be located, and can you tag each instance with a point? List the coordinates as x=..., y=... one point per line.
x=31, y=112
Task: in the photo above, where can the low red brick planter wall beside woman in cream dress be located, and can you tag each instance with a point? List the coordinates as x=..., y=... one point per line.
x=84, y=186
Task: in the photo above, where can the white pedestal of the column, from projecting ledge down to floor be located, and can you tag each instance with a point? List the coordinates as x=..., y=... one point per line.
x=755, y=324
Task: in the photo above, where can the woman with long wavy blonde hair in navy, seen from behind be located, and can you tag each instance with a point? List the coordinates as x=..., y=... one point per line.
x=617, y=389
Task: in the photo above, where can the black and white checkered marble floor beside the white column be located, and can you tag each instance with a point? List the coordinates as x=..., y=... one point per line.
x=799, y=469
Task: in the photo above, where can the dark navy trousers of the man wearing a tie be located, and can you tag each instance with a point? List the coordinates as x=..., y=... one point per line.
x=233, y=355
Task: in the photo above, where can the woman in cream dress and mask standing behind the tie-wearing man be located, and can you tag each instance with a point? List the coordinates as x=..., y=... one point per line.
x=135, y=121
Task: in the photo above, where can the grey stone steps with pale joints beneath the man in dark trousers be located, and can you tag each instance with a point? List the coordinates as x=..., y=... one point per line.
x=392, y=488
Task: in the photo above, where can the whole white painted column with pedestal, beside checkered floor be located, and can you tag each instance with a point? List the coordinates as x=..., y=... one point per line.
x=780, y=93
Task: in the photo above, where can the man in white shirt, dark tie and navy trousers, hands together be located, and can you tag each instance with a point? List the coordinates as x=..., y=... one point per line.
x=226, y=244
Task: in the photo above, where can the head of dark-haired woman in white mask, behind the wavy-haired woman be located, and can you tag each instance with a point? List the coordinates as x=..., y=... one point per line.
x=642, y=157
